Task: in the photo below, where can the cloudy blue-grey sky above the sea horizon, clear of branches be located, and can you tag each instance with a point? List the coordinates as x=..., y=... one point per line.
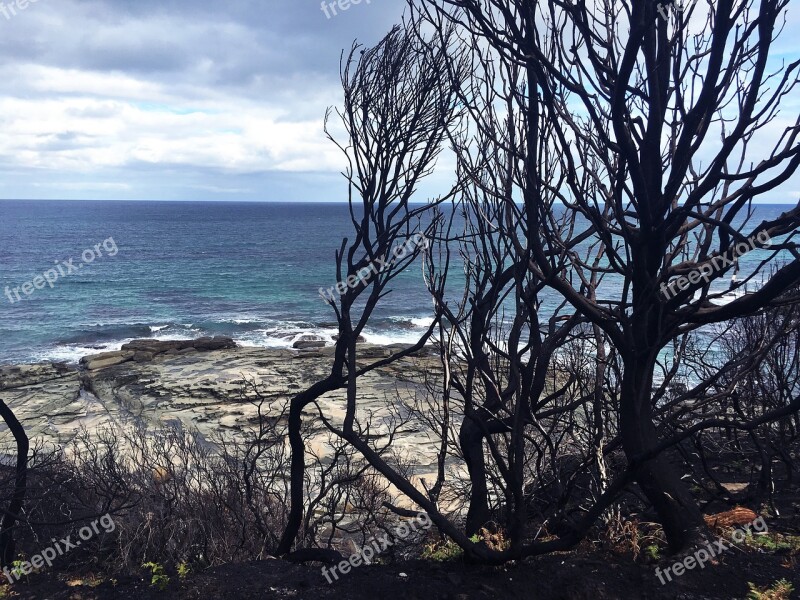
x=182, y=99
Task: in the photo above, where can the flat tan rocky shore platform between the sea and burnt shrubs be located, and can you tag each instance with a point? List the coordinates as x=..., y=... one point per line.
x=207, y=385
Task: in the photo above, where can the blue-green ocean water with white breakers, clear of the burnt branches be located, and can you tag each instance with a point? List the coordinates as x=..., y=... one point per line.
x=181, y=270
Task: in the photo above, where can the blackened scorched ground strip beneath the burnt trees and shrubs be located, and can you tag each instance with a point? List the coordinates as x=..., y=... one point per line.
x=582, y=574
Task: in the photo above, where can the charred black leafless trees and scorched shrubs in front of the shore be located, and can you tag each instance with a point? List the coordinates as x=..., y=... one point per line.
x=599, y=151
